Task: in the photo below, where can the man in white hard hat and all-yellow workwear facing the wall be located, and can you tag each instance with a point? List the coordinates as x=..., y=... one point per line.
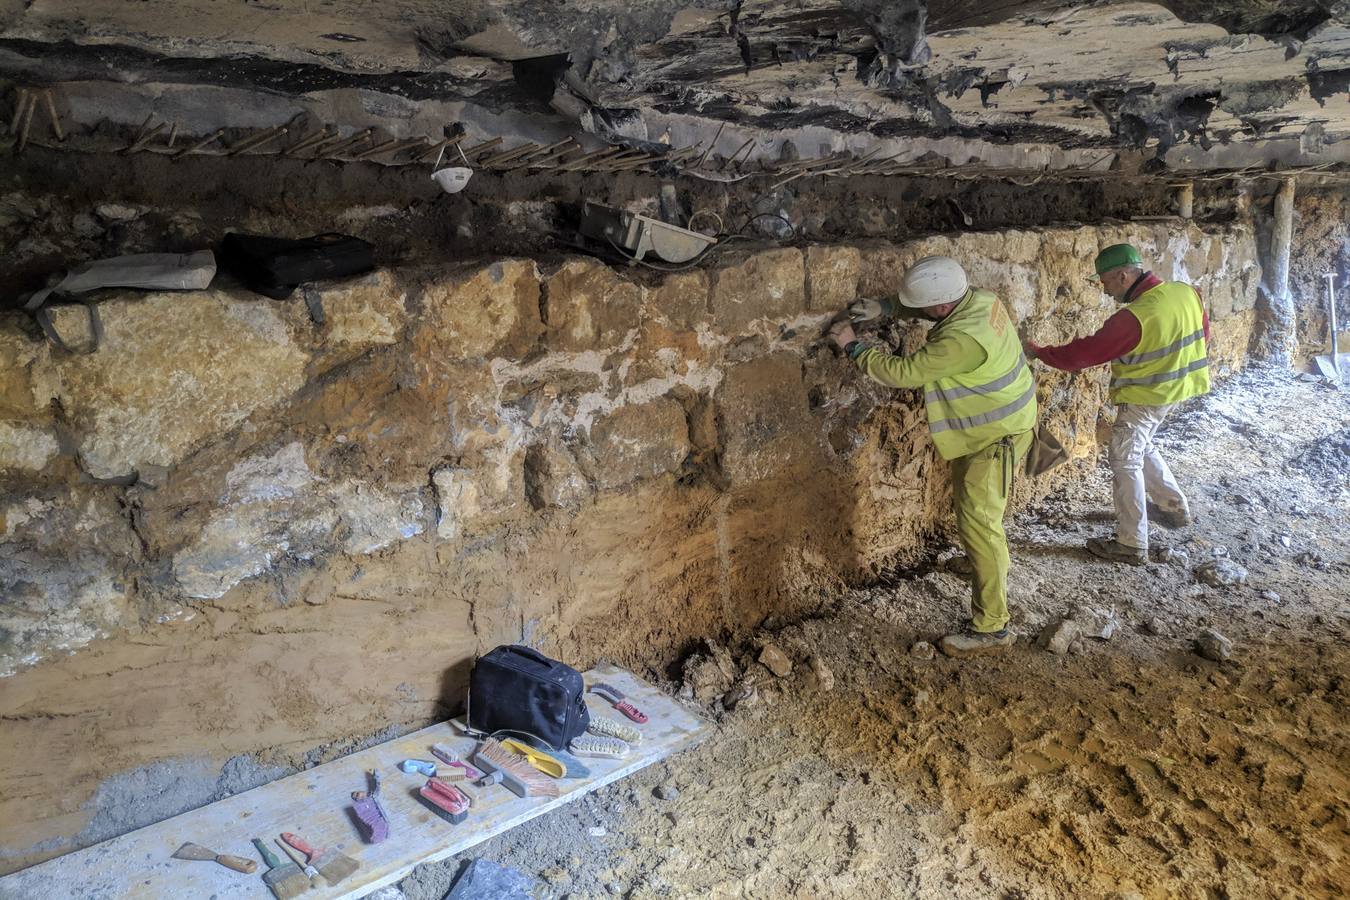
x=981, y=403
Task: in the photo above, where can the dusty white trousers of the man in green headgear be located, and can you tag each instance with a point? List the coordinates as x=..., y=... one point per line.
x=1140, y=474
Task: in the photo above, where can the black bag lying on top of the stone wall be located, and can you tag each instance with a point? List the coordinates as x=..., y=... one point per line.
x=275, y=266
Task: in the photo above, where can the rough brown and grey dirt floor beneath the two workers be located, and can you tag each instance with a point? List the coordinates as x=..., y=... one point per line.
x=1125, y=768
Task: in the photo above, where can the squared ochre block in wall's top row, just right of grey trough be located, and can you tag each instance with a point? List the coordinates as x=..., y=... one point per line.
x=767, y=285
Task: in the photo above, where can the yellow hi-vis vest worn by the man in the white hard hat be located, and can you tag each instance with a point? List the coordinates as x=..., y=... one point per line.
x=971, y=411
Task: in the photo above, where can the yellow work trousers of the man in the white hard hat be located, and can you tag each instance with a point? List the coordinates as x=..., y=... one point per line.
x=981, y=488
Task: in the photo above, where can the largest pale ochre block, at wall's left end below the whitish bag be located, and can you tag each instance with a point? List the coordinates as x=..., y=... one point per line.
x=175, y=370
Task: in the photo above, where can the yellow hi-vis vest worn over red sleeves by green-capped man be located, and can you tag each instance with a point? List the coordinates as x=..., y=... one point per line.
x=1170, y=364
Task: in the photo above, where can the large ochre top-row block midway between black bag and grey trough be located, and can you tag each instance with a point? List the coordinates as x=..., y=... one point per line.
x=492, y=311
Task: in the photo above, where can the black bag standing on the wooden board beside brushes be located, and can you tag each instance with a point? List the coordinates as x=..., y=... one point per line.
x=515, y=689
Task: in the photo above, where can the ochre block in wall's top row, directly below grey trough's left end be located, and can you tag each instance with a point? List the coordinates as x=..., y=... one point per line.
x=589, y=307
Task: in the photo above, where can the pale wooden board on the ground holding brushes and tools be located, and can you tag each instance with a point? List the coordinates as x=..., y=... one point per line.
x=315, y=805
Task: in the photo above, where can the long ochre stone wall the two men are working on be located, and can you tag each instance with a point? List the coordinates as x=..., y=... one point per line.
x=233, y=542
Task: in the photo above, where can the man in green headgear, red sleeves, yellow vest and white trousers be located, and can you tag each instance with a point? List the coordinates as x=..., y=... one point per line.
x=1158, y=349
